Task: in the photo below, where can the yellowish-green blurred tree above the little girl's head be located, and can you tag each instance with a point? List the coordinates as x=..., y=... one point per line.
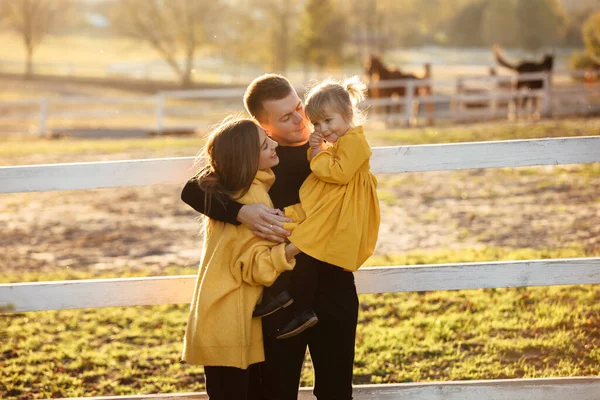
x=322, y=34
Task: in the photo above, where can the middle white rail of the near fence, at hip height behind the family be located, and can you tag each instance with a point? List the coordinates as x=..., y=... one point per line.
x=122, y=292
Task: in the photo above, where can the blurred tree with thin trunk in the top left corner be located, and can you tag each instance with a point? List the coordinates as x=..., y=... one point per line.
x=32, y=20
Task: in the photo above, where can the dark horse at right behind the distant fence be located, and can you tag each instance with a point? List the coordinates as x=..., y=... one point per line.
x=545, y=65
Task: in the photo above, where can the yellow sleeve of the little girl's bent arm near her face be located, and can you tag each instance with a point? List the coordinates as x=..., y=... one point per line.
x=339, y=165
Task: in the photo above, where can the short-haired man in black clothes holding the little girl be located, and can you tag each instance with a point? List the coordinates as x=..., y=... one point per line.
x=276, y=106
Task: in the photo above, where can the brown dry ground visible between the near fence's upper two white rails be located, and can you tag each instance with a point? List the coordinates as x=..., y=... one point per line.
x=150, y=228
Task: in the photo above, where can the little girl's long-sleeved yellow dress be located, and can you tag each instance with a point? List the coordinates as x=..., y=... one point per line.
x=337, y=220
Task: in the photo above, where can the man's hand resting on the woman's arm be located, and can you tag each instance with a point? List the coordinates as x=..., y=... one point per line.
x=265, y=222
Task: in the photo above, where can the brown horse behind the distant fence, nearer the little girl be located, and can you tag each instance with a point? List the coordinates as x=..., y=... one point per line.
x=376, y=70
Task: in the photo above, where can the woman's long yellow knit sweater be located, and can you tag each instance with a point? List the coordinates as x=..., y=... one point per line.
x=234, y=268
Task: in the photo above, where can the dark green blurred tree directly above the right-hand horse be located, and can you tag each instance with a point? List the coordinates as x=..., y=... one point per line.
x=541, y=23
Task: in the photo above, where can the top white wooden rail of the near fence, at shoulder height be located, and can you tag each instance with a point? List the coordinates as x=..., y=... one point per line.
x=414, y=158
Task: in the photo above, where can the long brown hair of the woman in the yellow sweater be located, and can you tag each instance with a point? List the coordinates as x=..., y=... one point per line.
x=232, y=151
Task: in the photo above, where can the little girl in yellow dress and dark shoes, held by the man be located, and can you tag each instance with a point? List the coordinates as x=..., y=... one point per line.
x=337, y=220
